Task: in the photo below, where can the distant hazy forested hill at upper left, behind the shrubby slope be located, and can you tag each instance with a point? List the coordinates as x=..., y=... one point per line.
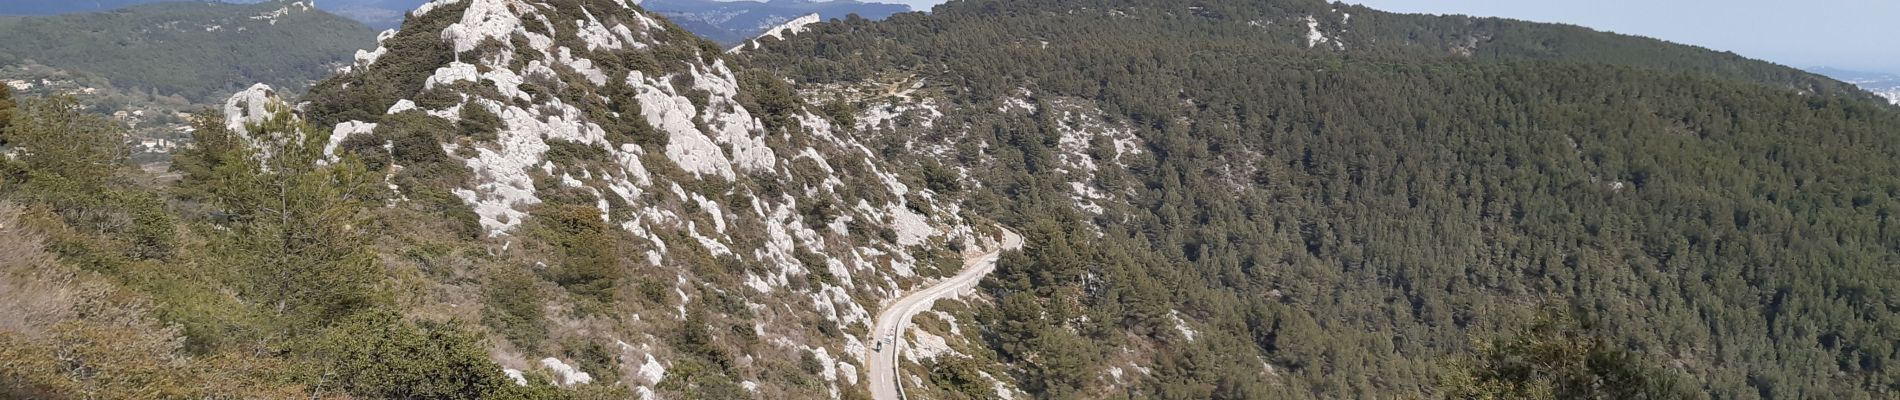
x=197, y=50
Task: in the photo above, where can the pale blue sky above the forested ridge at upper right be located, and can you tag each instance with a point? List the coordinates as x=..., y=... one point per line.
x=1857, y=35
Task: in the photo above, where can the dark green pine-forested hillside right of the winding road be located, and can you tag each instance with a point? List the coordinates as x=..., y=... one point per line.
x=1283, y=200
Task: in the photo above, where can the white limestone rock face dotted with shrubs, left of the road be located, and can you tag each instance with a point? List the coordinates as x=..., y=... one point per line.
x=596, y=103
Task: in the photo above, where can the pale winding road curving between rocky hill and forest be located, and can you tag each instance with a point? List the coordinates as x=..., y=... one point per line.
x=896, y=318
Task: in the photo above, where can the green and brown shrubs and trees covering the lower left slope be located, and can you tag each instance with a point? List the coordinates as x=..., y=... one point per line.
x=265, y=285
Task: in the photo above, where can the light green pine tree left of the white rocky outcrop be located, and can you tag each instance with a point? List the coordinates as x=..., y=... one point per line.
x=295, y=215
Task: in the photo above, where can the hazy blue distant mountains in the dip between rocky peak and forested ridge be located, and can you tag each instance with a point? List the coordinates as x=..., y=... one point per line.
x=738, y=22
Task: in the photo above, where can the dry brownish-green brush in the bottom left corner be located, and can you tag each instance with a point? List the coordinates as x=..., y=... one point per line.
x=73, y=335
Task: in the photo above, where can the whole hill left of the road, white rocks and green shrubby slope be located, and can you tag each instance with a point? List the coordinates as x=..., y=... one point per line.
x=503, y=200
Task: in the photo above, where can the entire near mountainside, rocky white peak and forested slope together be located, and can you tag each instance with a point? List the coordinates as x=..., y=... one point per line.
x=1215, y=200
